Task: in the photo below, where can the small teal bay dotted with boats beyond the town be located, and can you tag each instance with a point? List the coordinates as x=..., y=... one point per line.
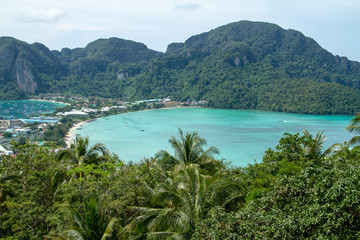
x=23, y=108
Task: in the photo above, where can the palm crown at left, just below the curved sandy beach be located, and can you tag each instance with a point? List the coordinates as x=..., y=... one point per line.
x=80, y=152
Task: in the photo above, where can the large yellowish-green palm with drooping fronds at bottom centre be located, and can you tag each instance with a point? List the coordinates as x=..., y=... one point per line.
x=180, y=203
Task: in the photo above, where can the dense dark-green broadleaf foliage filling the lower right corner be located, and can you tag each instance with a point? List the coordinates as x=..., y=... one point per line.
x=319, y=202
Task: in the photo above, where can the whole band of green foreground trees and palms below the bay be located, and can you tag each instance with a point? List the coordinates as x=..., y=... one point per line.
x=298, y=191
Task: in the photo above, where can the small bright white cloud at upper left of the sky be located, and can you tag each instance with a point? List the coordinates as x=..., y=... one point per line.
x=42, y=16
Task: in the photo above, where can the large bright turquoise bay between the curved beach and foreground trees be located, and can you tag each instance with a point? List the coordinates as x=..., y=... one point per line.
x=241, y=135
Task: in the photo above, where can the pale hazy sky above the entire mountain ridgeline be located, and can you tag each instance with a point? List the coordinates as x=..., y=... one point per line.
x=334, y=24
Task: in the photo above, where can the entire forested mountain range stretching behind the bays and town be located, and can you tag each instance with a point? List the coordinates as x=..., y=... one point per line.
x=251, y=65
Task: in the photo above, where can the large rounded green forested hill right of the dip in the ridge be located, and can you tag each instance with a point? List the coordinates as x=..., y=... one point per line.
x=254, y=66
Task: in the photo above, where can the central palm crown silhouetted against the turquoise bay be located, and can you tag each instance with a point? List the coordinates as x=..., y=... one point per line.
x=189, y=150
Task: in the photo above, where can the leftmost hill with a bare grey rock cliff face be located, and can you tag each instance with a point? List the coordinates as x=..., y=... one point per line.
x=26, y=66
